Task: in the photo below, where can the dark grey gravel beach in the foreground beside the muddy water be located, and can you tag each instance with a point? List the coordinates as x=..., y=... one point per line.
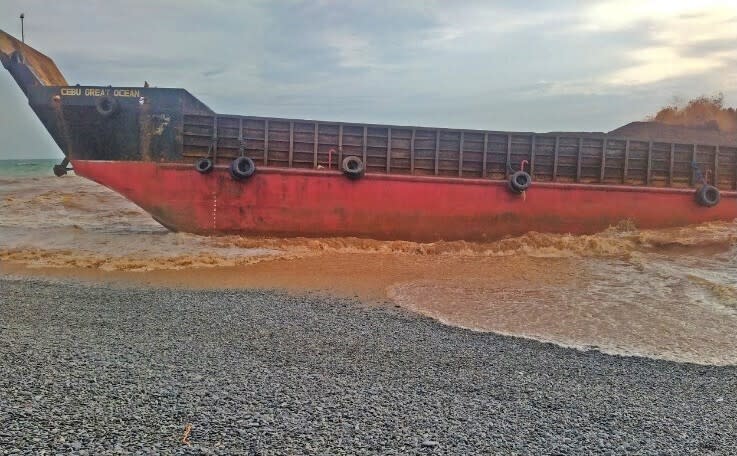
x=95, y=370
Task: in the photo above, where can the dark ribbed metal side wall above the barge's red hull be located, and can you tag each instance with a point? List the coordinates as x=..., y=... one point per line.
x=585, y=158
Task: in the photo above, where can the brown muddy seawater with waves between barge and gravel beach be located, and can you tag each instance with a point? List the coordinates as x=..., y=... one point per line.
x=668, y=294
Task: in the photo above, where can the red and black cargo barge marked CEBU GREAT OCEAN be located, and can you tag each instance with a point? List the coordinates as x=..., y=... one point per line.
x=198, y=171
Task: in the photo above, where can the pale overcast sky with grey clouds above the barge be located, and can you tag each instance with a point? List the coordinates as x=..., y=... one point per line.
x=534, y=66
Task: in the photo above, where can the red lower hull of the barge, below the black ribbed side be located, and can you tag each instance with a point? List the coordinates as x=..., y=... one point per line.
x=288, y=202
